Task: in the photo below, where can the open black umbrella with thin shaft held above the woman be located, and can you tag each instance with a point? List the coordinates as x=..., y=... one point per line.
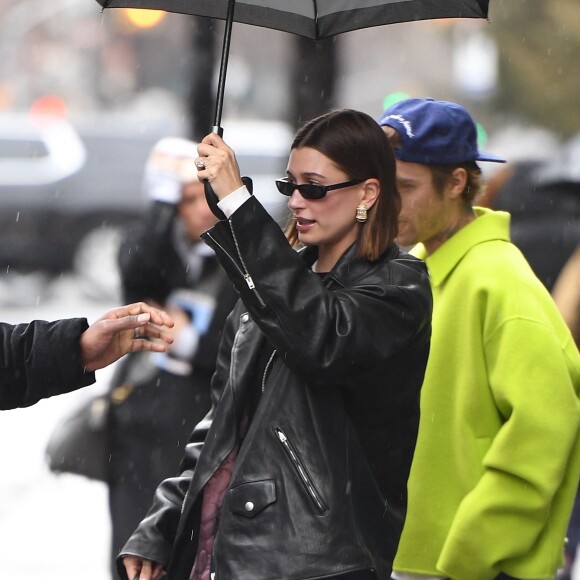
x=315, y=19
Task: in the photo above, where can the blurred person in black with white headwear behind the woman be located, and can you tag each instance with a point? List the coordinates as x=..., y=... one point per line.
x=158, y=399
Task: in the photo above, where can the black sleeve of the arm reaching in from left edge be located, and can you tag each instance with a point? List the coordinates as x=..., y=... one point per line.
x=39, y=360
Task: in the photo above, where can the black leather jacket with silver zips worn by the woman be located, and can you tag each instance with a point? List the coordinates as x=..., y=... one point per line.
x=319, y=483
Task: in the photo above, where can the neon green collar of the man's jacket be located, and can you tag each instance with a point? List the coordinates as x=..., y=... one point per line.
x=489, y=225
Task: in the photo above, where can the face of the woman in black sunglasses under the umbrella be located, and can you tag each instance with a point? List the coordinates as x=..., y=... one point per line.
x=328, y=223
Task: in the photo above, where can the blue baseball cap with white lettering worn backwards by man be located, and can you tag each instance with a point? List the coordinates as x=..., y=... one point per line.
x=435, y=133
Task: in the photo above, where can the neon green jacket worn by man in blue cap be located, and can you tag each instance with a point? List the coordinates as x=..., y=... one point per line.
x=497, y=461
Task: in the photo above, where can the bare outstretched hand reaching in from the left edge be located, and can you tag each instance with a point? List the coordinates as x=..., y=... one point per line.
x=122, y=330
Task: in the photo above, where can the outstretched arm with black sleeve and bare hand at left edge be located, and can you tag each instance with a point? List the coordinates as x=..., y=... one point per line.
x=41, y=359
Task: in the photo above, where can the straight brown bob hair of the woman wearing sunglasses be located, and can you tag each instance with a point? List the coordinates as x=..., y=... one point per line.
x=357, y=145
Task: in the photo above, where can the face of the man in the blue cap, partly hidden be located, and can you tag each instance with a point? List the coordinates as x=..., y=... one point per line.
x=425, y=212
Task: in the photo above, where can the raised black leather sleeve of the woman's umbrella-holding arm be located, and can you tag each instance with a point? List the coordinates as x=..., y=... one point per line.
x=323, y=335
